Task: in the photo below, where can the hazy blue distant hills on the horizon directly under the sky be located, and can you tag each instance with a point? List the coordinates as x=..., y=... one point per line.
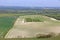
x=25, y=8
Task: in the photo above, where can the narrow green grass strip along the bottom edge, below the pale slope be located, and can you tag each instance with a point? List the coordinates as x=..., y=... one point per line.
x=53, y=38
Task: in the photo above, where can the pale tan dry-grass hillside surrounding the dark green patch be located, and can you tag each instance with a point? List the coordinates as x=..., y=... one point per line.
x=23, y=29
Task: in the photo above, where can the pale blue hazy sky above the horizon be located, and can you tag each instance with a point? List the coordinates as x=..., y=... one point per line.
x=31, y=3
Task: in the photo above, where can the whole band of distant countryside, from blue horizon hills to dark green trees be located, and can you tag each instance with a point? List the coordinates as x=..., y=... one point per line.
x=53, y=12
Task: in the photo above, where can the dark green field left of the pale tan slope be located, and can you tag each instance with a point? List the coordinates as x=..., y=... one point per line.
x=6, y=23
